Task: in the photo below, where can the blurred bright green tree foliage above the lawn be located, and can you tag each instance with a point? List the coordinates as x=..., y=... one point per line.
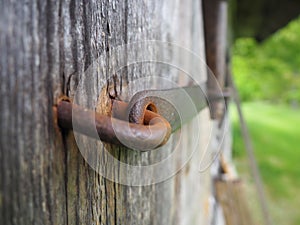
x=269, y=70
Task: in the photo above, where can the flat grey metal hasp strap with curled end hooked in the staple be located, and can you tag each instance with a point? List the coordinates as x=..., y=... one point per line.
x=177, y=105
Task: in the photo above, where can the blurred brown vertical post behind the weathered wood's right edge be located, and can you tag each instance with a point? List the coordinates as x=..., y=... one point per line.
x=215, y=26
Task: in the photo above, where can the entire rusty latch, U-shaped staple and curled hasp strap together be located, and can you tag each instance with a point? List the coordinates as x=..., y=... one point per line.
x=146, y=130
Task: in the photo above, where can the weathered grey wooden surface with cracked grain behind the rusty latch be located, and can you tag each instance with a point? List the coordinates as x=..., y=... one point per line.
x=51, y=49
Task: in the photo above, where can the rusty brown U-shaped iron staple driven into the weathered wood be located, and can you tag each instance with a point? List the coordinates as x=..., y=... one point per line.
x=154, y=133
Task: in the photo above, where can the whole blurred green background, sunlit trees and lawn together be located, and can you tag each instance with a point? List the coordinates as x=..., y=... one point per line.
x=270, y=71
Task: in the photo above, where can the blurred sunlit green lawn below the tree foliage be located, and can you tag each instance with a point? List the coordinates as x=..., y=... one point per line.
x=275, y=132
